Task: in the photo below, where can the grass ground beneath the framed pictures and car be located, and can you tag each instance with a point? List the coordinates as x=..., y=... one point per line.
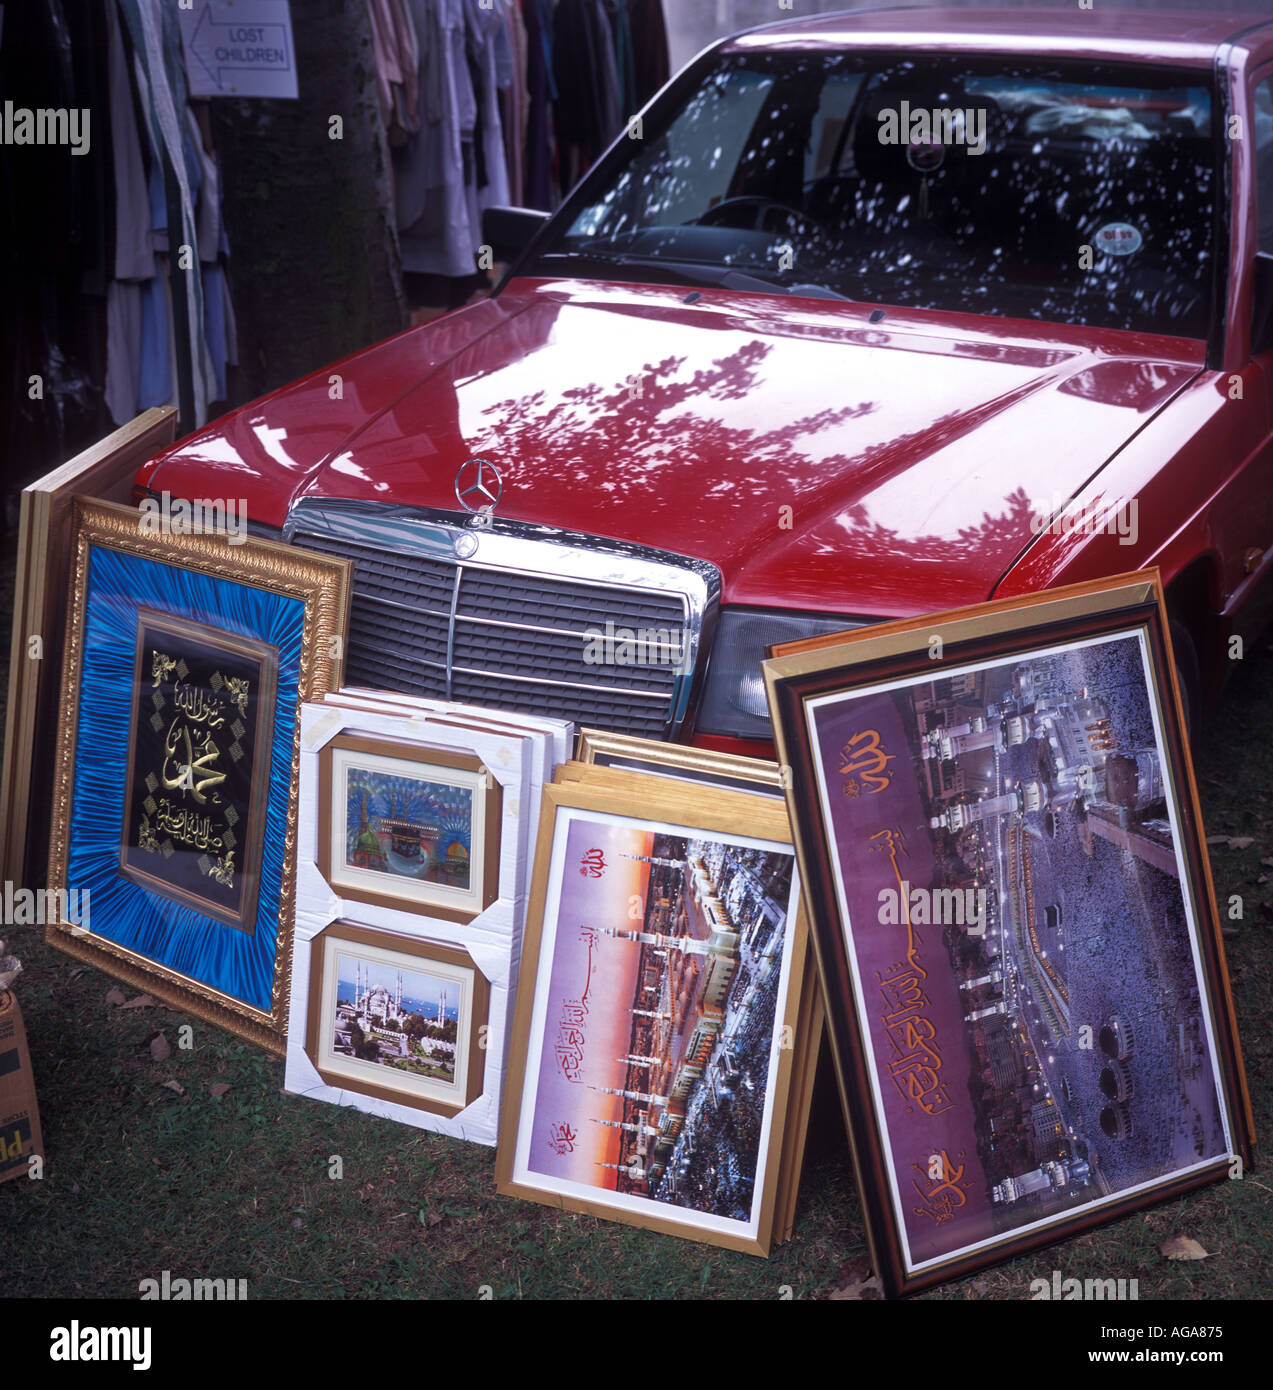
x=243, y=1185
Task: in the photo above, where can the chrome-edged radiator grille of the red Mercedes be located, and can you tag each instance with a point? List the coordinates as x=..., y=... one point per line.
x=509, y=626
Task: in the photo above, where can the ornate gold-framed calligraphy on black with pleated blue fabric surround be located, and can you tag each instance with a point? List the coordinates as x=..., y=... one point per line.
x=173, y=842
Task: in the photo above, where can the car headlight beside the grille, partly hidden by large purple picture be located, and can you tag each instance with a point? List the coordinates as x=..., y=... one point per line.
x=734, y=698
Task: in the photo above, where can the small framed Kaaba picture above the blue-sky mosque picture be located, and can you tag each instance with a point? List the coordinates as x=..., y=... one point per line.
x=409, y=826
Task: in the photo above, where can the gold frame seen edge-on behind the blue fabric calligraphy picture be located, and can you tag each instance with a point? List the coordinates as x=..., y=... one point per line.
x=106, y=472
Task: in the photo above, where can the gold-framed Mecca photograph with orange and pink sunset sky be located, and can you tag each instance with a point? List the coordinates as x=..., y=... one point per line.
x=657, y=1011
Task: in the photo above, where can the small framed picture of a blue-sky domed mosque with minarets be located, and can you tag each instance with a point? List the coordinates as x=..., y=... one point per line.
x=397, y=1018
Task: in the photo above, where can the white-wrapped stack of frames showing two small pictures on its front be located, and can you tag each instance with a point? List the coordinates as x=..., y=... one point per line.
x=412, y=894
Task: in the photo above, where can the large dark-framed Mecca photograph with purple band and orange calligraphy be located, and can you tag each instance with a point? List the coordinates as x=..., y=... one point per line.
x=1014, y=915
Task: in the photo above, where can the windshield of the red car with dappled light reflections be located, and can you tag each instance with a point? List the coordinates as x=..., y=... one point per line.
x=1007, y=187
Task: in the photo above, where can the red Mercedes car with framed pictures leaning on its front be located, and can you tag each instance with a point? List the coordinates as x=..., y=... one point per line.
x=864, y=318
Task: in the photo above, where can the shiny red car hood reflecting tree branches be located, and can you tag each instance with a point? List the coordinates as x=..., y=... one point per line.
x=819, y=459
